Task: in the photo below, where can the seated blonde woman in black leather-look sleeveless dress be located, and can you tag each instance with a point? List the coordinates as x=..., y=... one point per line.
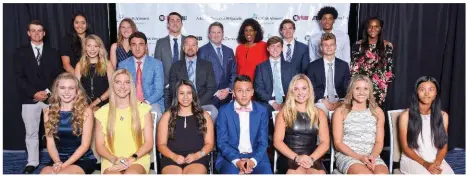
x=296, y=130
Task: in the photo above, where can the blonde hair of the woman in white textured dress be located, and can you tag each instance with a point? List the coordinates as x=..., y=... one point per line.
x=348, y=102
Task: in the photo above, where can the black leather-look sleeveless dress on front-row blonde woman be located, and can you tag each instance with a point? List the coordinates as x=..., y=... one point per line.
x=301, y=139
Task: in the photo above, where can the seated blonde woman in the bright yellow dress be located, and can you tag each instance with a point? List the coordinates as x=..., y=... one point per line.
x=124, y=132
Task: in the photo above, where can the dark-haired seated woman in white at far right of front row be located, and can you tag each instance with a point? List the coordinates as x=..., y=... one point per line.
x=423, y=131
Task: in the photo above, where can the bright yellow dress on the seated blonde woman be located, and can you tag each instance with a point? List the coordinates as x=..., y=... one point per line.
x=123, y=146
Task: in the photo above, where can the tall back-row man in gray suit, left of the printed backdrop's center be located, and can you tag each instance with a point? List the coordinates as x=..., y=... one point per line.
x=169, y=48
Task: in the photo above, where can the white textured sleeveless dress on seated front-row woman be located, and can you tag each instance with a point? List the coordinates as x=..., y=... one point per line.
x=359, y=131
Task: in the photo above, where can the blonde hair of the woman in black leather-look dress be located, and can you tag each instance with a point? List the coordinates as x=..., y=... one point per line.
x=289, y=110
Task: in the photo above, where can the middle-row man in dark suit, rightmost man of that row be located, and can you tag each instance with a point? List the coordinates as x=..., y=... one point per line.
x=329, y=76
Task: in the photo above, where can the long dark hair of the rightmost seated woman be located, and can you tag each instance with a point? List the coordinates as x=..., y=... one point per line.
x=439, y=136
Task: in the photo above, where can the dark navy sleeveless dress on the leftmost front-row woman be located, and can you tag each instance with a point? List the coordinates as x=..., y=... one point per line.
x=67, y=143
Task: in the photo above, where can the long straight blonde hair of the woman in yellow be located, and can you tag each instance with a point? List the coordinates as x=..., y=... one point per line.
x=136, y=126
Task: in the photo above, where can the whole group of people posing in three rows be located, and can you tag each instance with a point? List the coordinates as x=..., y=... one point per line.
x=88, y=94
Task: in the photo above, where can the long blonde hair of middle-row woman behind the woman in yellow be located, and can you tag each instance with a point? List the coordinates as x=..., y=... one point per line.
x=101, y=66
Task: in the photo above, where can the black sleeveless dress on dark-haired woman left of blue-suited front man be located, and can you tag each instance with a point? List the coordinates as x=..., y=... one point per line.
x=186, y=140
